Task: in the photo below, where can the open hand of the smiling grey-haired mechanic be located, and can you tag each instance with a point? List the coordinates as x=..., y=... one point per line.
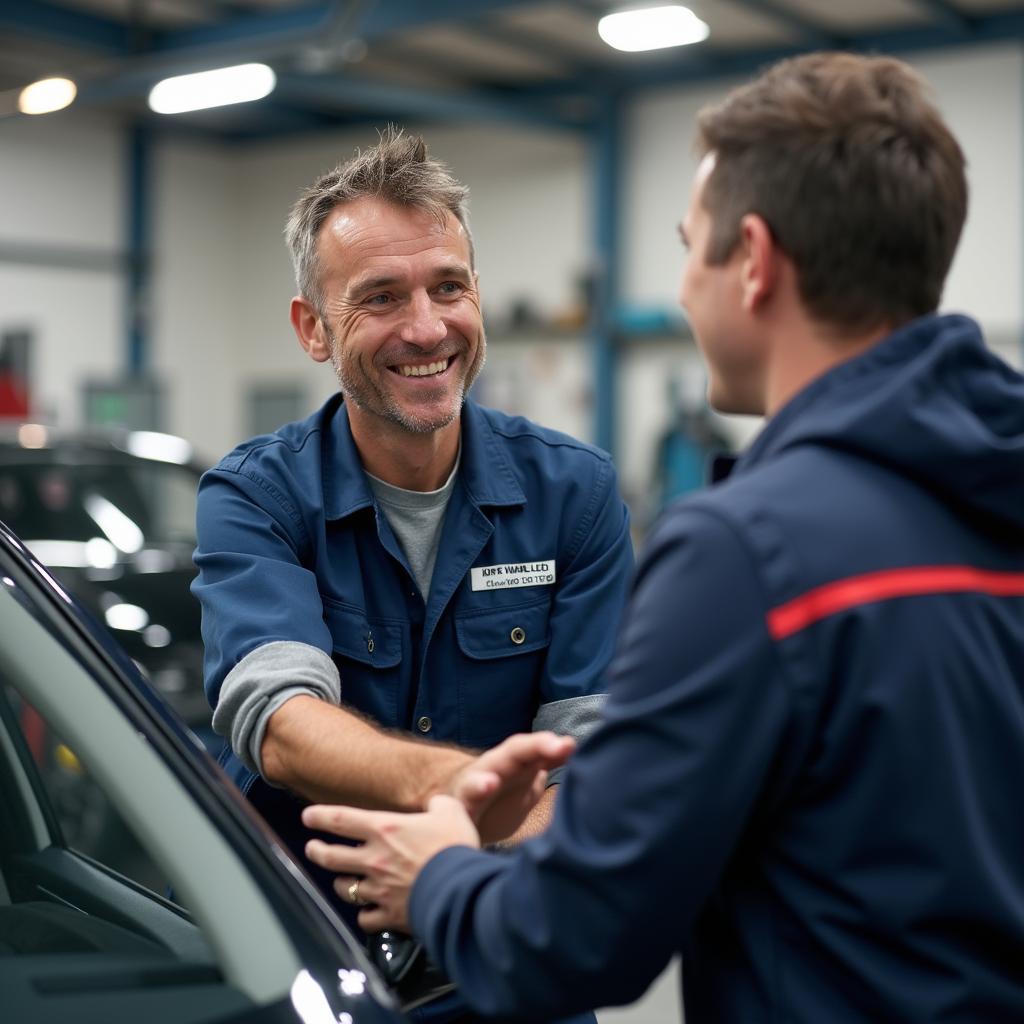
x=503, y=785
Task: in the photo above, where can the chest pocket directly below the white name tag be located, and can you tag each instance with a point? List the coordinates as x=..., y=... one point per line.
x=503, y=653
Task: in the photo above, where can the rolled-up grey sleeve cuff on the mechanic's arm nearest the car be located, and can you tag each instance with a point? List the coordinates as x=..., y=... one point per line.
x=261, y=684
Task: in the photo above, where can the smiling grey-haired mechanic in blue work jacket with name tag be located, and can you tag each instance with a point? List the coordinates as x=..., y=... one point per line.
x=405, y=577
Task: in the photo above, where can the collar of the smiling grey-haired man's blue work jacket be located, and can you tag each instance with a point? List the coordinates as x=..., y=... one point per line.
x=486, y=471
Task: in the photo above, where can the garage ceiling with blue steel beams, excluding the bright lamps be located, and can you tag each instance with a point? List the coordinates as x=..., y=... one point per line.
x=353, y=61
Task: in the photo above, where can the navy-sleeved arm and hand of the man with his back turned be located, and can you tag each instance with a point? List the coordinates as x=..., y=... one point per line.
x=648, y=819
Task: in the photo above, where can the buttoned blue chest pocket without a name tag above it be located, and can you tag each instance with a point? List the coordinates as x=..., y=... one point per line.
x=369, y=655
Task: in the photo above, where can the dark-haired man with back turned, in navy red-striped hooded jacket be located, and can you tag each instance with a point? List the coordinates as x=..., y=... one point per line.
x=808, y=778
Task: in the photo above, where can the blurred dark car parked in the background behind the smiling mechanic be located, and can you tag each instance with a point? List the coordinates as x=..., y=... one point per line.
x=113, y=517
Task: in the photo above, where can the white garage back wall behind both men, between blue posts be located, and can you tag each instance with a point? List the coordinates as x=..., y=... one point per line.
x=223, y=279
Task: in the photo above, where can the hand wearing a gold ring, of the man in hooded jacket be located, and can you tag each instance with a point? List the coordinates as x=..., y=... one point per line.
x=395, y=848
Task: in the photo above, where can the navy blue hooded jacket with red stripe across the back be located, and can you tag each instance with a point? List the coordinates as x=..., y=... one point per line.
x=809, y=780
